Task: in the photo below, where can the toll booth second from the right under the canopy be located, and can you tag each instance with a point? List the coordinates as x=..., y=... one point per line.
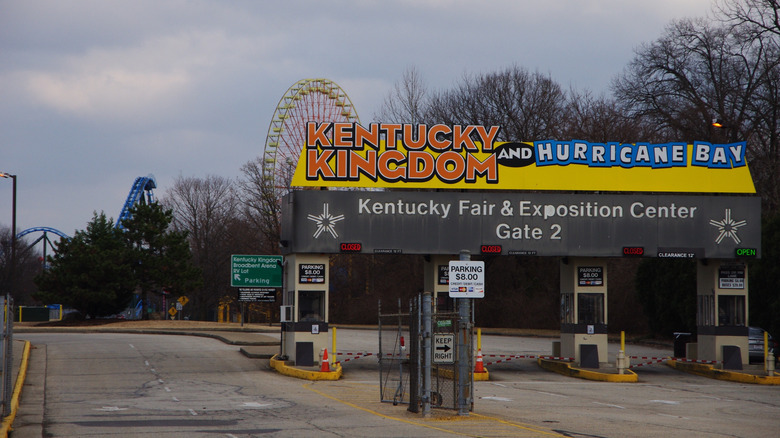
x=584, y=310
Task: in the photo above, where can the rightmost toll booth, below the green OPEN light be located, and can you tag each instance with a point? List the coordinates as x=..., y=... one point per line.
x=721, y=312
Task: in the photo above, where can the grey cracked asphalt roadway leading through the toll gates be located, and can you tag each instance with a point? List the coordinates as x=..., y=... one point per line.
x=140, y=385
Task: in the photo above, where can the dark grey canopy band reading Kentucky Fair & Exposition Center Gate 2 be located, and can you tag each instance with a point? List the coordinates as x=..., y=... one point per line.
x=541, y=224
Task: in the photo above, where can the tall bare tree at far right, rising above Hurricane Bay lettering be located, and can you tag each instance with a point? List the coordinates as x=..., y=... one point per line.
x=699, y=71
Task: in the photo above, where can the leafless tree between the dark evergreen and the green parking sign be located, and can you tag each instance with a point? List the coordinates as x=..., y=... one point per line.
x=207, y=209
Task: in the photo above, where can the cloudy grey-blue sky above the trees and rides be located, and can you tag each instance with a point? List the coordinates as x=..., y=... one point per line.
x=96, y=93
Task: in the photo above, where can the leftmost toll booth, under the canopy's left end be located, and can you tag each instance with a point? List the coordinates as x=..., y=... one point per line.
x=305, y=308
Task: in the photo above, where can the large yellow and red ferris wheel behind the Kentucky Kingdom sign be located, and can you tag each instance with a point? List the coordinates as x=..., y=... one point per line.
x=317, y=100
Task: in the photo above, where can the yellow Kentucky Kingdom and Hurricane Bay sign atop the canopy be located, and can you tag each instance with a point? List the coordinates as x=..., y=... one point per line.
x=469, y=157
